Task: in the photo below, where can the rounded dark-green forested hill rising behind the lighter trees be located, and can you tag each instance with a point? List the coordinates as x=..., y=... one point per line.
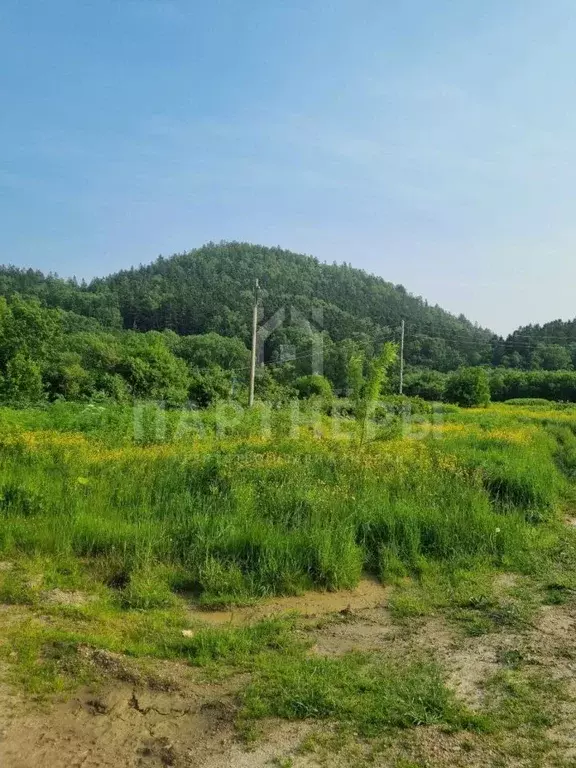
x=210, y=290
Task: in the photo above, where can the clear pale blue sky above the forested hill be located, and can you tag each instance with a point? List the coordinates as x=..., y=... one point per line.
x=433, y=143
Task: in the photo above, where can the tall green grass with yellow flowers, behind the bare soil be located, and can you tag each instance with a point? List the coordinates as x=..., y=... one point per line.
x=227, y=517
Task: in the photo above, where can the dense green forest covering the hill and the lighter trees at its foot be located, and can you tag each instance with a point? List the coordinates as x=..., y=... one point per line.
x=179, y=329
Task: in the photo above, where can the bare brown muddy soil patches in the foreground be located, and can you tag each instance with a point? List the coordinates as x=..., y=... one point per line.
x=175, y=717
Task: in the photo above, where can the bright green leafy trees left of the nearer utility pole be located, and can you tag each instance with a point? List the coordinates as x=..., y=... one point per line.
x=50, y=353
